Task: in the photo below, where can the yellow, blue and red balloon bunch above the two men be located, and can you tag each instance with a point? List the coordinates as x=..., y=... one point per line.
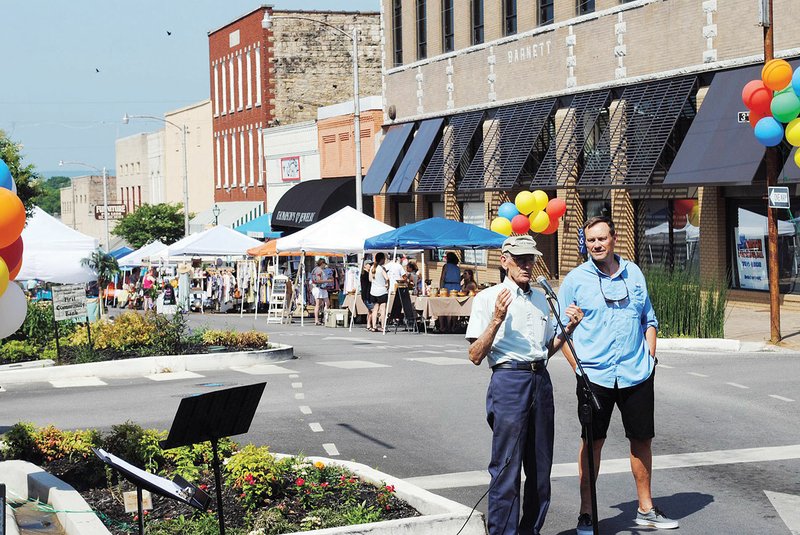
x=531, y=210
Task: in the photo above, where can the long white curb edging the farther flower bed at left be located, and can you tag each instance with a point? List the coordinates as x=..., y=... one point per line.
x=150, y=365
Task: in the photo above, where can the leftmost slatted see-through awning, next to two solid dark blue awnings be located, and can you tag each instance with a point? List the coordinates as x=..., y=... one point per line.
x=451, y=153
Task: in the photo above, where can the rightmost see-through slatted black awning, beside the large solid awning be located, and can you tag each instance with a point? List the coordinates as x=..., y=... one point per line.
x=637, y=134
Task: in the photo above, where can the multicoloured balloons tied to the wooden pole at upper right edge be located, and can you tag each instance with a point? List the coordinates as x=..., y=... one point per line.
x=774, y=101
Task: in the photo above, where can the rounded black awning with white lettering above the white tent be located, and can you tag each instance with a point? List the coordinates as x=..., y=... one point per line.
x=312, y=200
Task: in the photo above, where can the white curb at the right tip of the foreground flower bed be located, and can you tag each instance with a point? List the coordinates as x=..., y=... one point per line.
x=441, y=516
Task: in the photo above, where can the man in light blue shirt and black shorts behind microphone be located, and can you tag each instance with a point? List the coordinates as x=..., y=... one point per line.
x=616, y=344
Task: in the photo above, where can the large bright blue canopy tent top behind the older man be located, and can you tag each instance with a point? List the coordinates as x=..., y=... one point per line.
x=436, y=233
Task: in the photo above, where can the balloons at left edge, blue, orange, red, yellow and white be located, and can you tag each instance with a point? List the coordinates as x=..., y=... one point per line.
x=13, y=305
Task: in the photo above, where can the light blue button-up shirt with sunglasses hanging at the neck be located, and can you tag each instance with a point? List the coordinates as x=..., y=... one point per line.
x=610, y=341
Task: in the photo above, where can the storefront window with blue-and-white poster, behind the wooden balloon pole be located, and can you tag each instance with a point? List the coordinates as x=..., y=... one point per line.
x=749, y=249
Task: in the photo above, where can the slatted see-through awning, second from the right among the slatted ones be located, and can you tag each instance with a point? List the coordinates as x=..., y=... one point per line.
x=569, y=142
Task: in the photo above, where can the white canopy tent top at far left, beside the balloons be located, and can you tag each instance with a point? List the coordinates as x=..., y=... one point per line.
x=53, y=251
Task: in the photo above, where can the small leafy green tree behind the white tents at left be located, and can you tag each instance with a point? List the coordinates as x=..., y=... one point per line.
x=152, y=222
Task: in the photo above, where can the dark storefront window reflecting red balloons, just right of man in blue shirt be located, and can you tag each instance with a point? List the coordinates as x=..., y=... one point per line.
x=655, y=247
